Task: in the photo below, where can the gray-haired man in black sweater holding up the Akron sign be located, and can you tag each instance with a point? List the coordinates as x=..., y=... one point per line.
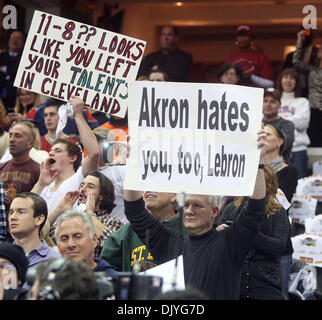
x=212, y=260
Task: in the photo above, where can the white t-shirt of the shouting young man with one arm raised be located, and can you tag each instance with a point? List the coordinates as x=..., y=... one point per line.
x=70, y=184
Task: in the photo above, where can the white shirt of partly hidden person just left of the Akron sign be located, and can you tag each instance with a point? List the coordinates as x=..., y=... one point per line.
x=117, y=174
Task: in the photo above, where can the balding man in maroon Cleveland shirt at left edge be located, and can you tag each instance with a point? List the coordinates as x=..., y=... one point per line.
x=21, y=172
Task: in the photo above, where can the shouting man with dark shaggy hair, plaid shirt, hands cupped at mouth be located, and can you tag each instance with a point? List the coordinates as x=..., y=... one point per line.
x=95, y=196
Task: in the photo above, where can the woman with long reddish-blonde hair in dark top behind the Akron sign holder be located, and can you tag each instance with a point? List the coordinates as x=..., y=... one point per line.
x=260, y=277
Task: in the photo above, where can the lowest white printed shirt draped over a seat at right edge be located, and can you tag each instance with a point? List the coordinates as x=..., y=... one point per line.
x=308, y=247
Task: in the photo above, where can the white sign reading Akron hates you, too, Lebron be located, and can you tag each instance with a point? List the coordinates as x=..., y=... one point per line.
x=193, y=137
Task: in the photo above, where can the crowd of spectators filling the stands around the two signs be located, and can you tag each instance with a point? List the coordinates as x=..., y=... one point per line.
x=69, y=202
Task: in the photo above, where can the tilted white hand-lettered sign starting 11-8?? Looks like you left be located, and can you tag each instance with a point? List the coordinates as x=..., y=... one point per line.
x=62, y=58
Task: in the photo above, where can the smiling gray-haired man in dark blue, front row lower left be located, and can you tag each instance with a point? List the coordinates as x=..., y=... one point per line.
x=76, y=239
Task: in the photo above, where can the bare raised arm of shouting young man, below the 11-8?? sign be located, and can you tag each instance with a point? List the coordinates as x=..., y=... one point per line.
x=87, y=137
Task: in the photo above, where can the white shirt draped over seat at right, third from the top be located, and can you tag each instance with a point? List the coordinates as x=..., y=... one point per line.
x=302, y=208
